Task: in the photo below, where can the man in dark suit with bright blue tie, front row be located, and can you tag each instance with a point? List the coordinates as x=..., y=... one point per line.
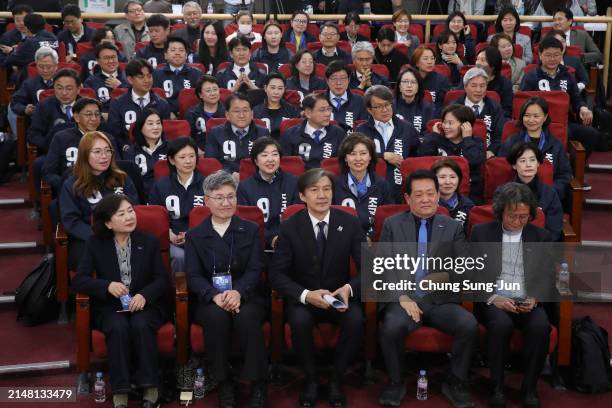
x=439, y=309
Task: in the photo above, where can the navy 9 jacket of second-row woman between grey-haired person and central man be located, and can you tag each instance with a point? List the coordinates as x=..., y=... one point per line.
x=271, y=198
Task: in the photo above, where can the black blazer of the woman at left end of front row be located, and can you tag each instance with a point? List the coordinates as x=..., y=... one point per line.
x=149, y=278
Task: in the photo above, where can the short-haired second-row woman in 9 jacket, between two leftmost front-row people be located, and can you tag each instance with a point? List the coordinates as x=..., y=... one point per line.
x=179, y=193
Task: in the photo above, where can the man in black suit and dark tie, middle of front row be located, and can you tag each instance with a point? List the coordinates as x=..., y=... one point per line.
x=312, y=260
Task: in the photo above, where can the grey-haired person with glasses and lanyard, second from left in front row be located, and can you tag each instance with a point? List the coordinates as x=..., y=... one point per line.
x=223, y=263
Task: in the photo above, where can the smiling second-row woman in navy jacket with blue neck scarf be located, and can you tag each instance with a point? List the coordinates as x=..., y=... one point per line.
x=358, y=186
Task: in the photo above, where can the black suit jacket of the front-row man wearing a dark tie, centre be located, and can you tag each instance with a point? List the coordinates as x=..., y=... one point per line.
x=296, y=266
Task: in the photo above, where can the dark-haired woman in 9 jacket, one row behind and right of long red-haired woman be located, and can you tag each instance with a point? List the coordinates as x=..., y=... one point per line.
x=149, y=145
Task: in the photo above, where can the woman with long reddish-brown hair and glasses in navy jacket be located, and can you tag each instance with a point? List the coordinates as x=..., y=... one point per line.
x=95, y=175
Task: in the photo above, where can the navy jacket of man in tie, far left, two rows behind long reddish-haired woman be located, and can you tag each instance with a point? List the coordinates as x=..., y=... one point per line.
x=47, y=120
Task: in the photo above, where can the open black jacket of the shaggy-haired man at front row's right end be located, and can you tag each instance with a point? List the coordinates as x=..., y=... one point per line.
x=538, y=267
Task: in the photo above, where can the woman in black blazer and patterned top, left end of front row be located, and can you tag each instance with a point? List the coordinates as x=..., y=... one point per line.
x=130, y=278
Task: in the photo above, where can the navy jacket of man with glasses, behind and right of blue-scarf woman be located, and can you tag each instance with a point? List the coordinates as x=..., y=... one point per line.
x=404, y=141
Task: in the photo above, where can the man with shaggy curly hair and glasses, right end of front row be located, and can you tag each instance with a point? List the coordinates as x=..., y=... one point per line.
x=521, y=260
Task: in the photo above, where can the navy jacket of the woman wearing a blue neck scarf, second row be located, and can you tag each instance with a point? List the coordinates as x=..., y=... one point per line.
x=379, y=193
